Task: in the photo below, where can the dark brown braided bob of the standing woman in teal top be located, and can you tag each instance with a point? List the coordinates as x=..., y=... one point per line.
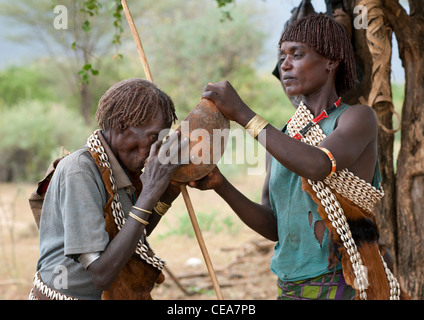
x=329, y=39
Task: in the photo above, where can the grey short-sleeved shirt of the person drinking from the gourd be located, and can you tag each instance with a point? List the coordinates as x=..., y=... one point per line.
x=72, y=221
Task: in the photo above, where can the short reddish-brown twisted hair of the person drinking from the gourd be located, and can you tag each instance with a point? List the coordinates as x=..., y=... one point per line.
x=133, y=102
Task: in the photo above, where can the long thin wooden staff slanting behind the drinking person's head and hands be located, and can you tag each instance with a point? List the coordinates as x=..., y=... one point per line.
x=183, y=187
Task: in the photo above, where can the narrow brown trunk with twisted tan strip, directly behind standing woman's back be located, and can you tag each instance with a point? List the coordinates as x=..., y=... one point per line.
x=379, y=97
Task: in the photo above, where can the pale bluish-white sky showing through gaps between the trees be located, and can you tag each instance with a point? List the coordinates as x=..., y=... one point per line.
x=277, y=13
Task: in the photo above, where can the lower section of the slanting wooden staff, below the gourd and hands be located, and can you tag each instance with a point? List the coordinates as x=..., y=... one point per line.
x=201, y=241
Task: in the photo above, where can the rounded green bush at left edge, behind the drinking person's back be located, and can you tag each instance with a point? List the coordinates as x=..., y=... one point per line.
x=32, y=134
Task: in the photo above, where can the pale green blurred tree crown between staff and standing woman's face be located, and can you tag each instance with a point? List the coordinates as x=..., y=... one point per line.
x=192, y=48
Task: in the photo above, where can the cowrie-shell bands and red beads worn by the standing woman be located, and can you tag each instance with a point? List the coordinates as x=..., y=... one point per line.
x=352, y=188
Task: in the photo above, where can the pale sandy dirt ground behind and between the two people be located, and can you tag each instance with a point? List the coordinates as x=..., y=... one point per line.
x=240, y=257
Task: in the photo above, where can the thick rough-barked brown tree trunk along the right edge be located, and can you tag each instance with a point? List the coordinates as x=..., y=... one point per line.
x=409, y=31
